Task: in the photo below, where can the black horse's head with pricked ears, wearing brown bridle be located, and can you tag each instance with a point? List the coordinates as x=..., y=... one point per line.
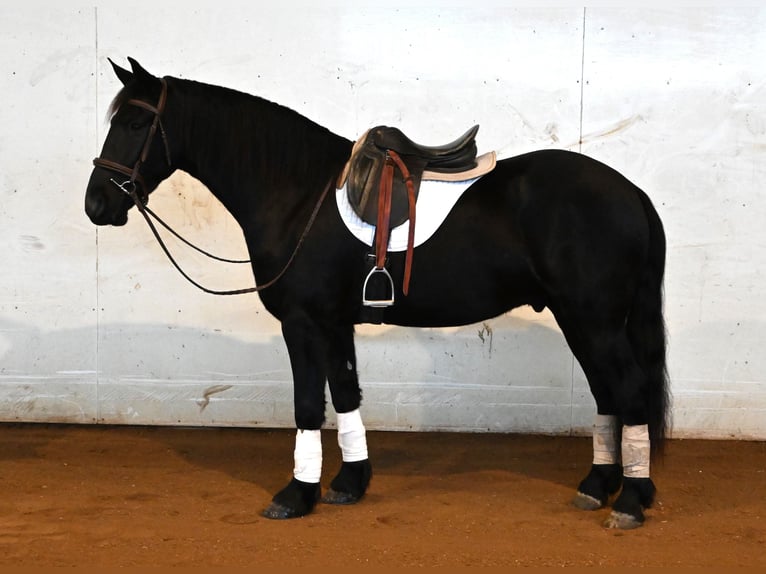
x=135, y=157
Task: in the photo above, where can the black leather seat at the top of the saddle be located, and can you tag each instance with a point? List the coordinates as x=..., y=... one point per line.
x=455, y=156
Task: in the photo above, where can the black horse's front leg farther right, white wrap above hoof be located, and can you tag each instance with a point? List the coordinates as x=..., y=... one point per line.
x=351, y=482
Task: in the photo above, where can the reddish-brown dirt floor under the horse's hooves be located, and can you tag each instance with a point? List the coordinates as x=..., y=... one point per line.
x=122, y=496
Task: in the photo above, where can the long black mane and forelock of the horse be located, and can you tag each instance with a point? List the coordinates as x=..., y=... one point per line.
x=259, y=139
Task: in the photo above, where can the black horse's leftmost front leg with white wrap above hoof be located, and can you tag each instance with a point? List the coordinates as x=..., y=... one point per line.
x=306, y=345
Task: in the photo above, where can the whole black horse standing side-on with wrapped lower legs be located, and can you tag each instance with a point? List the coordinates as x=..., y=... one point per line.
x=549, y=229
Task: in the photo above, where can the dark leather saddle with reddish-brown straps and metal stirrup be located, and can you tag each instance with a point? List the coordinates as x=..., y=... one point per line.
x=383, y=179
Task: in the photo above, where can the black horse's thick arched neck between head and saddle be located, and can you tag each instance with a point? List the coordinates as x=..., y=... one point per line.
x=235, y=145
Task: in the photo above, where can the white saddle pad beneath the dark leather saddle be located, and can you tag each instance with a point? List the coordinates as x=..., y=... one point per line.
x=435, y=200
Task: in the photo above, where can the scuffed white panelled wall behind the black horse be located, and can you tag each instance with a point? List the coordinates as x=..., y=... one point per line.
x=95, y=326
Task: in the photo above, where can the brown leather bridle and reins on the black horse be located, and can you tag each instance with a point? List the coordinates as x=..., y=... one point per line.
x=141, y=200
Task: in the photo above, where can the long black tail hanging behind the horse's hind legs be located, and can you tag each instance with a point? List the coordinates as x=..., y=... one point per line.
x=647, y=334
